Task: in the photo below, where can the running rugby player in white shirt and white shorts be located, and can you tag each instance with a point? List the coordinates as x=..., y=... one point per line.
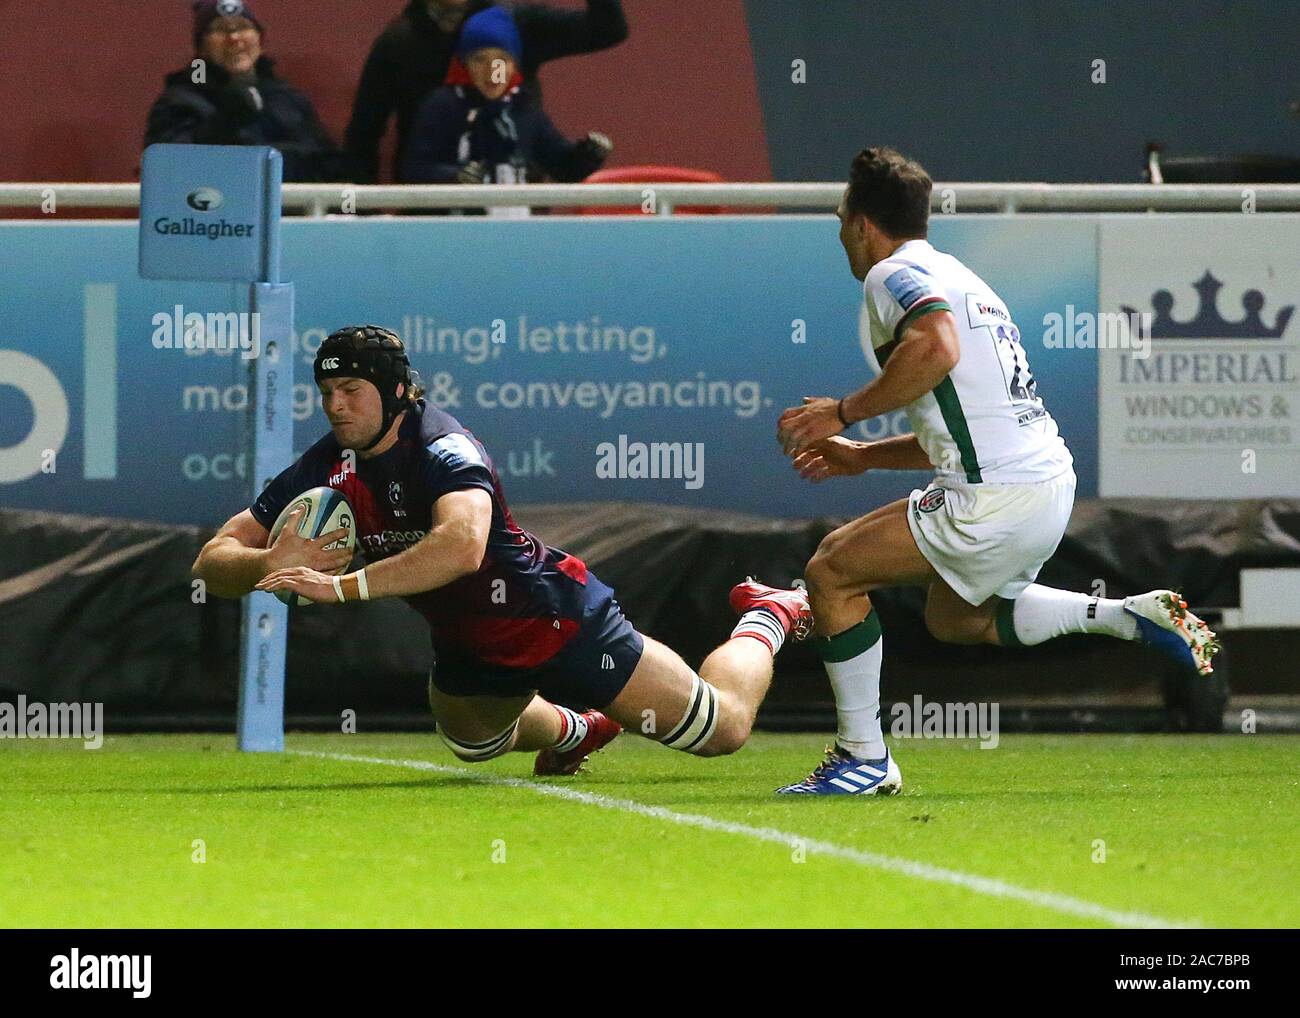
x=947, y=350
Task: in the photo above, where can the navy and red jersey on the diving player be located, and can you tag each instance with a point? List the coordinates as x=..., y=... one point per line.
x=526, y=601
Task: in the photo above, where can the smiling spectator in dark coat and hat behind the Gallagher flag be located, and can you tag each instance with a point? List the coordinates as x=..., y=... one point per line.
x=232, y=97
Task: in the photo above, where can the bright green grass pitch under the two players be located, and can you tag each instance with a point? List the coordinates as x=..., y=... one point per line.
x=1197, y=830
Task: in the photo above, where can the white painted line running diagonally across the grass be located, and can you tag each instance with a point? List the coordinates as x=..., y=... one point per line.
x=909, y=868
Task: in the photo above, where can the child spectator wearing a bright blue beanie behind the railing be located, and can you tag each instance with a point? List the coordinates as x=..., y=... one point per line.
x=480, y=129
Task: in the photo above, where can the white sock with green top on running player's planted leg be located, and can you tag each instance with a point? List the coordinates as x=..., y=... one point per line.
x=852, y=661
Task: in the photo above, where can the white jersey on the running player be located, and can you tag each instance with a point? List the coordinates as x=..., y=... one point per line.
x=985, y=423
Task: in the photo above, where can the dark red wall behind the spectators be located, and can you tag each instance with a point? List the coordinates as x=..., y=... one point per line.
x=79, y=79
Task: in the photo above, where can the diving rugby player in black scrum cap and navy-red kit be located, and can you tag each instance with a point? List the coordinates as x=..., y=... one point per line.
x=532, y=651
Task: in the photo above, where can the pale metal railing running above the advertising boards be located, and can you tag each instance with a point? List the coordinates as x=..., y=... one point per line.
x=322, y=200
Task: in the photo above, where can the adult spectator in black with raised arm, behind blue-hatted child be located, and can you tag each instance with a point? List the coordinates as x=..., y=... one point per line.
x=414, y=54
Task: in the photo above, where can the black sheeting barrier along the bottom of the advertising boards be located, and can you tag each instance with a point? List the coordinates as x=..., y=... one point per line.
x=96, y=609
